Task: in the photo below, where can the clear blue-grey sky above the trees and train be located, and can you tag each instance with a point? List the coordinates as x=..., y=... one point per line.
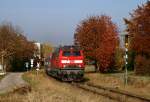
x=55, y=20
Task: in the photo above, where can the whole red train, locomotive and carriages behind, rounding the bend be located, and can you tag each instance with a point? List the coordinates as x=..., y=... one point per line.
x=66, y=63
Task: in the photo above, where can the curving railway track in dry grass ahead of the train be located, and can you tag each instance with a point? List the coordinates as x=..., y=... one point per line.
x=115, y=94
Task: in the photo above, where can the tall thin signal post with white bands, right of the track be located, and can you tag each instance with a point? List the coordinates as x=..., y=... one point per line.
x=126, y=59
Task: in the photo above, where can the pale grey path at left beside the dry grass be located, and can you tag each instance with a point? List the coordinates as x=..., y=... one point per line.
x=11, y=82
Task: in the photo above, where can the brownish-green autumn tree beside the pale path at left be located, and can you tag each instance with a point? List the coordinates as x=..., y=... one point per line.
x=14, y=47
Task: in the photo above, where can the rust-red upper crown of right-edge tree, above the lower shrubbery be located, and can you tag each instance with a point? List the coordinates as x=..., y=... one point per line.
x=139, y=28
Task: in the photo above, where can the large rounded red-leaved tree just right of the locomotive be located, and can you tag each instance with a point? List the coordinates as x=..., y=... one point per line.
x=98, y=37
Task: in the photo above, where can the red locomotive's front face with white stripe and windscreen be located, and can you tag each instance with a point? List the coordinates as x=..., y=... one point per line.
x=72, y=64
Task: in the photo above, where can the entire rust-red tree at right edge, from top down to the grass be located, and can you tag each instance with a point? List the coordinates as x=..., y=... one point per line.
x=138, y=27
